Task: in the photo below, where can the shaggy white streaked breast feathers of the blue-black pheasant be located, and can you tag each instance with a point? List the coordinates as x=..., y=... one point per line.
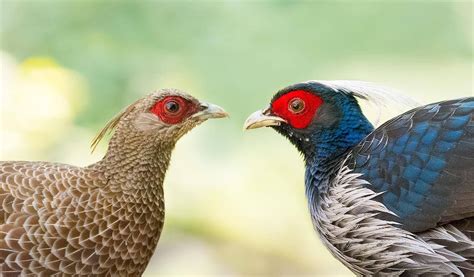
x=346, y=219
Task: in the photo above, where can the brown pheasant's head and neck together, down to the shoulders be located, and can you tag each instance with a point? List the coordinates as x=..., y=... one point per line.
x=147, y=131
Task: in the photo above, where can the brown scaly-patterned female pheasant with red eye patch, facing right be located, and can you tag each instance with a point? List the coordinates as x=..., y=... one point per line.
x=104, y=219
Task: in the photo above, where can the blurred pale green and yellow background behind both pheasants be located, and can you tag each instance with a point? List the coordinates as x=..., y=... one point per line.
x=235, y=201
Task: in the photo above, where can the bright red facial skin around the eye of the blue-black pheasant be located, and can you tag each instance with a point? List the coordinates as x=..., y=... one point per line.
x=303, y=118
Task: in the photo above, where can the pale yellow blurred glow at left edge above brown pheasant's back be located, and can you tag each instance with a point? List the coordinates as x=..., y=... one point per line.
x=37, y=85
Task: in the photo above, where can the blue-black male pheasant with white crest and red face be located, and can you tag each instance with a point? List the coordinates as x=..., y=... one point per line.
x=395, y=200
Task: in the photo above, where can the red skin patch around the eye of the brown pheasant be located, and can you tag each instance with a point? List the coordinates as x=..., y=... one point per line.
x=162, y=109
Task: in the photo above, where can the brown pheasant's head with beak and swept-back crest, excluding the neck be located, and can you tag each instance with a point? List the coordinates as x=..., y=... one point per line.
x=161, y=117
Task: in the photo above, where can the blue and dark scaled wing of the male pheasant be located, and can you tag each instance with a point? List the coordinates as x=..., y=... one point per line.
x=422, y=162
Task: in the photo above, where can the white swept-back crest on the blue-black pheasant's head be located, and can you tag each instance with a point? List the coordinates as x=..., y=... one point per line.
x=378, y=96
